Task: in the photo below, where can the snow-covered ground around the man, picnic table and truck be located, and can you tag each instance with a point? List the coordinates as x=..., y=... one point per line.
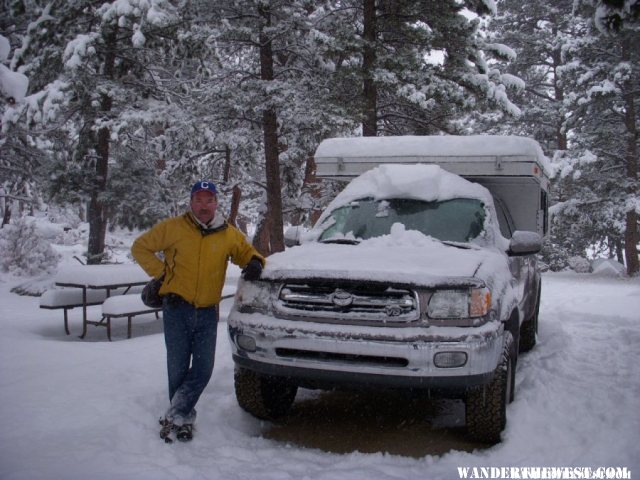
x=88, y=409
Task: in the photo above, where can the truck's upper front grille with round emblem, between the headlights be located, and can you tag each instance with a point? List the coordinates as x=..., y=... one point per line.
x=369, y=303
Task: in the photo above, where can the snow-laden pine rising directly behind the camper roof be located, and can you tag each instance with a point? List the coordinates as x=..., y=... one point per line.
x=418, y=64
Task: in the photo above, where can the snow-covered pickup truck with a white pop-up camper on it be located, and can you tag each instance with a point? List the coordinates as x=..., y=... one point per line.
x=421, y=274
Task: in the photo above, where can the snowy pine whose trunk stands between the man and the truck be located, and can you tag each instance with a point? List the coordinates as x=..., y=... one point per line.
x=267, y=94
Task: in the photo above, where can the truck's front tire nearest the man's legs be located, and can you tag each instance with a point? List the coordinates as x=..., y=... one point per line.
x=264, y=397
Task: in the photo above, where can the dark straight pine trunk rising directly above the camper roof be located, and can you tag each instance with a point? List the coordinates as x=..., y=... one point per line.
x=370, y=94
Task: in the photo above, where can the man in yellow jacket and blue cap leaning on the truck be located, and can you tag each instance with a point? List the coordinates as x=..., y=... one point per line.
x=195, y=248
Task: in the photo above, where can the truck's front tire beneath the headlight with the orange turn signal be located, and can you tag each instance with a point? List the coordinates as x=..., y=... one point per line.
x=486, y=407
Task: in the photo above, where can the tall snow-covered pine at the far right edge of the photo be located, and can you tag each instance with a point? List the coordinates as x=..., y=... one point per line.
x=603, y=73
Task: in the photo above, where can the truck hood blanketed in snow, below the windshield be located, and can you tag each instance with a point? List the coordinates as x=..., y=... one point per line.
x=406, y=257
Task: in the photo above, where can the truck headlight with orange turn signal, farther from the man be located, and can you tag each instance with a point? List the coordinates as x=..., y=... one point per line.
x=460, y=303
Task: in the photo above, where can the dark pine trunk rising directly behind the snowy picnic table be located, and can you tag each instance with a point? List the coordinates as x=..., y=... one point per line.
x=97, y=214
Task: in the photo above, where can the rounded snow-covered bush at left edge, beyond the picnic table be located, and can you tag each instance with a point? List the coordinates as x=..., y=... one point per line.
x=24, y=251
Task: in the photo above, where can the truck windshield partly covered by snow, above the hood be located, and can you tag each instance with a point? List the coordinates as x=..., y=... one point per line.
x=456, y=220
